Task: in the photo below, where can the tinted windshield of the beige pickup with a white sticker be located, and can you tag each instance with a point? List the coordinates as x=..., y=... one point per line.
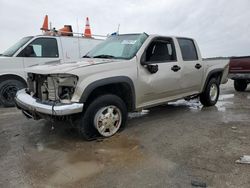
x=118, y=47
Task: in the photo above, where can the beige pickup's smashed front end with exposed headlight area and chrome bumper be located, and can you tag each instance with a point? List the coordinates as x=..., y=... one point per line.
x=49, y=96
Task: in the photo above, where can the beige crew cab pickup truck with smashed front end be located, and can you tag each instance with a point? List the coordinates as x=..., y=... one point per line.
x=125, y=73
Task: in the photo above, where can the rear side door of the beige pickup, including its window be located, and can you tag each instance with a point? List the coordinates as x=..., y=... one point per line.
x=192, y=67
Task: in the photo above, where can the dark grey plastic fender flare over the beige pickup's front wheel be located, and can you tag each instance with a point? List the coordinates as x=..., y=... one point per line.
x=106, y=81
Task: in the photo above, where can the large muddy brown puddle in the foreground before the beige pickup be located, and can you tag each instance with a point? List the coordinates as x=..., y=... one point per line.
x=60, y=164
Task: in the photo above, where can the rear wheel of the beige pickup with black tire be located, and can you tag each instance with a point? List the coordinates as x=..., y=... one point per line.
x=205, y=98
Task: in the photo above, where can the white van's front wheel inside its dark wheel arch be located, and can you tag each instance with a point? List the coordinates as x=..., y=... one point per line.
x=8, y=89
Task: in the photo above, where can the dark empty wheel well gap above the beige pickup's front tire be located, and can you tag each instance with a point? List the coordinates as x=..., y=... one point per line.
x=122, y=90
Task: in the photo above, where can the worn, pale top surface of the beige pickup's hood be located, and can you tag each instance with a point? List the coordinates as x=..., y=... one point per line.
x=55, y=67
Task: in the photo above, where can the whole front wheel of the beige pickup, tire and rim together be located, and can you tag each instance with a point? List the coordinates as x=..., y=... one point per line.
x=104, y=117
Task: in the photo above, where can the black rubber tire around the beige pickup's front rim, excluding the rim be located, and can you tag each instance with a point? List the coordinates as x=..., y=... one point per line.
x=87, y=125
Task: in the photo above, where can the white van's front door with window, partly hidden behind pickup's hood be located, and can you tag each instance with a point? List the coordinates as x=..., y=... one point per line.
x=40, y=51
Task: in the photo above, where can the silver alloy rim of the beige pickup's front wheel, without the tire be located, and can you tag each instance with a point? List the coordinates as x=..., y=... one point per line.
x=108, y=120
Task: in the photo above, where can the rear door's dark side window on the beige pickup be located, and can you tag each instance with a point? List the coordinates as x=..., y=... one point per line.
x=188, y=49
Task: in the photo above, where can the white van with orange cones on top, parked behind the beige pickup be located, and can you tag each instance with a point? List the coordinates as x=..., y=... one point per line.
x=34, y=50
